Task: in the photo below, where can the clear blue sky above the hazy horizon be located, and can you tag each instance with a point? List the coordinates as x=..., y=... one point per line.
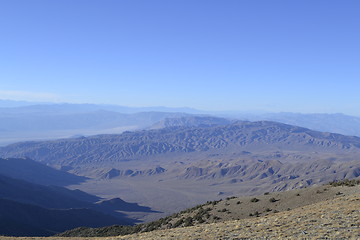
x=297, y=56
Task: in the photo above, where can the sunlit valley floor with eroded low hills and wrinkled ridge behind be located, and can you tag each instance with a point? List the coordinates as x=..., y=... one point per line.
x=187, y=165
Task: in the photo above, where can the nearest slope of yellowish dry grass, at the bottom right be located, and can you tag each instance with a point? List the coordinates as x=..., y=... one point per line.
x=338, y=218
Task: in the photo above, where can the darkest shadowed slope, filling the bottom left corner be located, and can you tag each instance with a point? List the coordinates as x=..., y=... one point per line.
x=18, y=219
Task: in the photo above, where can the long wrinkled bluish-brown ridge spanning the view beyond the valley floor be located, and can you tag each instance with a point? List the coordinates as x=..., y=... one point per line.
x=237, y=138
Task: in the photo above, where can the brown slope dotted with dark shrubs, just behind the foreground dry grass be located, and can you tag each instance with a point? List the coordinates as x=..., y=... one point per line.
x=234, y=208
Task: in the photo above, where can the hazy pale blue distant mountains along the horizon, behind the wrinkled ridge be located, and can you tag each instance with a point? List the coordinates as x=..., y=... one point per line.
x=23, y=121
